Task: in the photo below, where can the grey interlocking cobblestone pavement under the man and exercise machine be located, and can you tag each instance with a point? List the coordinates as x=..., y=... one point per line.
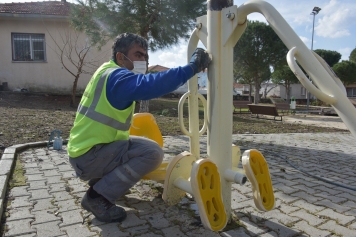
x=49, y=204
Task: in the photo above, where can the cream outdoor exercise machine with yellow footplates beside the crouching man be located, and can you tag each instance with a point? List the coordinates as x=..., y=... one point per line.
x=209, y=180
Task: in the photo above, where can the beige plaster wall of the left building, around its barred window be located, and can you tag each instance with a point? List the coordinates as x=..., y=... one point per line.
x=48, y=76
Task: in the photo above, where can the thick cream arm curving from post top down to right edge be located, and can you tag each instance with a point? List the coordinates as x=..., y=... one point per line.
x=320, y=76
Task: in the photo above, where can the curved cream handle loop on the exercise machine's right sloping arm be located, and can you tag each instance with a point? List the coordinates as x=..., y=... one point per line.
x=305, y=81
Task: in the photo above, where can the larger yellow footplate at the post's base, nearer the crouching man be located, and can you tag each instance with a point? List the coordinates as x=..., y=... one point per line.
x=205, y=181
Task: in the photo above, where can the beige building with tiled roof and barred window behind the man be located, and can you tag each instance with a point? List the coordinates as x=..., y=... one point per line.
x=33, y=36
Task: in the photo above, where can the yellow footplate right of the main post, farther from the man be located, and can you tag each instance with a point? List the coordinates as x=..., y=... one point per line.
x=256, y=169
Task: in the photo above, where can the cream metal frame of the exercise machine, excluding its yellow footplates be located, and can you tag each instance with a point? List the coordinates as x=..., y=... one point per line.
x=219, y=31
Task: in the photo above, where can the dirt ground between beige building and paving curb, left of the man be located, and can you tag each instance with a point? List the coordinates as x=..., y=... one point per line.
x=32, y=117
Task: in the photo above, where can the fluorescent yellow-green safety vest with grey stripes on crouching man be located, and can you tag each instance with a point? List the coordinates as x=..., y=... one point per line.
x=97, y=121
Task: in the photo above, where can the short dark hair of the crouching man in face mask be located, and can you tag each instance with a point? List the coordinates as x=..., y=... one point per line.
x=125, y=41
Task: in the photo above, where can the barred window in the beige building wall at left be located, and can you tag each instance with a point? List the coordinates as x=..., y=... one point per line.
x=28, y=47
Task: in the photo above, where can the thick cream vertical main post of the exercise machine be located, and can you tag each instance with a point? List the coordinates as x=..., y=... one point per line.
x=219, y=137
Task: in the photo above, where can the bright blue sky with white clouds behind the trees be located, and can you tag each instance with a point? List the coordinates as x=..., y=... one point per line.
x=334, y=29
